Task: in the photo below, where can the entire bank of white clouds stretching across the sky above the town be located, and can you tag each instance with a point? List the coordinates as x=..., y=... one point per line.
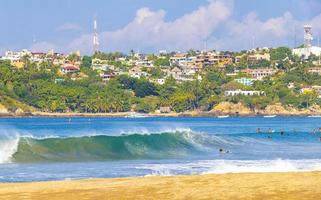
x=214, y=22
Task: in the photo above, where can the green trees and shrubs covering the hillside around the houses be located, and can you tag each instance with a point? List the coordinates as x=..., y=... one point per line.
x=35, y=87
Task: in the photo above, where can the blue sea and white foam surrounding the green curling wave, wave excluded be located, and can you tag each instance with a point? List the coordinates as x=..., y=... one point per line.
x=244, y=150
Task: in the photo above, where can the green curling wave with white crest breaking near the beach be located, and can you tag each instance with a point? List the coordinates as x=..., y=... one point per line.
x=28, y=149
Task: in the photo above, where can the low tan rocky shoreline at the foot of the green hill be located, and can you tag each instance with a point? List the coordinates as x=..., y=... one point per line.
x=221, y=109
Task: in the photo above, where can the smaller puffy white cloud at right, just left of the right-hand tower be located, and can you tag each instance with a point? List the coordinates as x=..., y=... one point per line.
x=271, y=32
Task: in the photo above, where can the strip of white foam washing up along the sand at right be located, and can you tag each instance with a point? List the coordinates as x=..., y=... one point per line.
x=231, y=166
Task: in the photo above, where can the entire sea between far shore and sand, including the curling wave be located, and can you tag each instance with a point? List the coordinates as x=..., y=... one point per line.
x=40, y=149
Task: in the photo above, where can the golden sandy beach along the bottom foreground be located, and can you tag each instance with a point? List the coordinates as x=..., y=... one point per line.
x=226, y=186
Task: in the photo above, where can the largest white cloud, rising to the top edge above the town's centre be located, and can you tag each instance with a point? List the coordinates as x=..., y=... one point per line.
x=150, y=31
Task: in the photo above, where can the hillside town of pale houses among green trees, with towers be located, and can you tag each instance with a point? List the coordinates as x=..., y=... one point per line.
x=257, y=81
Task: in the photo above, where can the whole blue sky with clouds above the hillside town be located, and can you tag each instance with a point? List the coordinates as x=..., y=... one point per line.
x=153, y=25
